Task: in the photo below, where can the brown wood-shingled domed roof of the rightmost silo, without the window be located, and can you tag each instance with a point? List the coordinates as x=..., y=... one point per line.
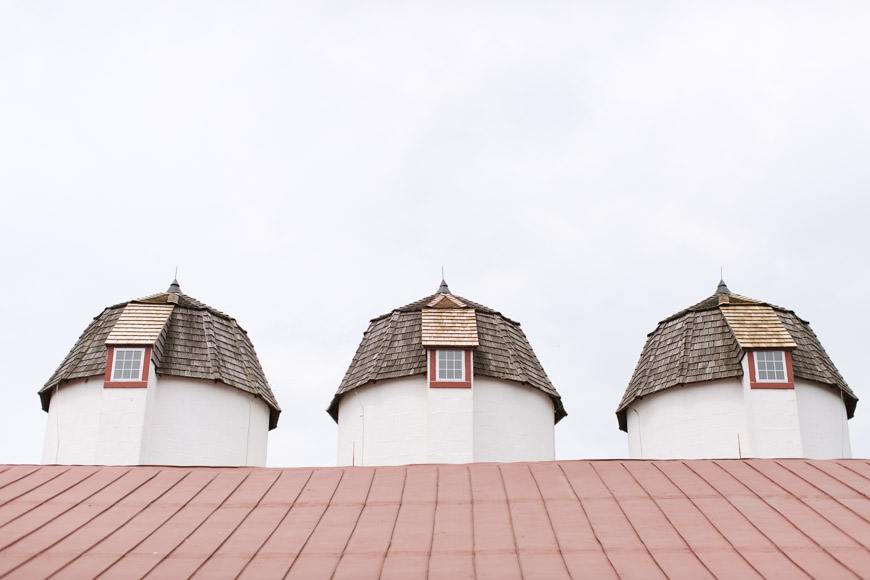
x=707, y=341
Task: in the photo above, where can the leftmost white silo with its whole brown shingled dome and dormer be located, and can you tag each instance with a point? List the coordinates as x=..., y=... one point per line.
x=164, y=380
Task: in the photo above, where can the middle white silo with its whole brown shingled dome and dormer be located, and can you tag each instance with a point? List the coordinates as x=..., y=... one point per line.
x=444, y=380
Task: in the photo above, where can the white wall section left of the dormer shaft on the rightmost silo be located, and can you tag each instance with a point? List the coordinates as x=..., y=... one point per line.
x=702, y=420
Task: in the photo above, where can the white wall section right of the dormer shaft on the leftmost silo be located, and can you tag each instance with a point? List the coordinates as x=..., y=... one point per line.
x=198, y=422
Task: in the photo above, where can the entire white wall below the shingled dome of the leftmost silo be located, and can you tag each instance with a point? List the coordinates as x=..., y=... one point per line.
x=173, y=421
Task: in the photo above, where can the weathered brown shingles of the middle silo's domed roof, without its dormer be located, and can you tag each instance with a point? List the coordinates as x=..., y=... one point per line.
x=392, y=347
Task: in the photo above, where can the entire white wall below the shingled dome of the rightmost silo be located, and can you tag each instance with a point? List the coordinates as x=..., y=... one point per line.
x=704, y=420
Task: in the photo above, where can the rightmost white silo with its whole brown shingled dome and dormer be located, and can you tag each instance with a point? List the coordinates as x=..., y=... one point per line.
x=735, y=377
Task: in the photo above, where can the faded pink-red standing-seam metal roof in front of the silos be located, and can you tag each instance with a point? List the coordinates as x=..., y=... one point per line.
x=565, y=519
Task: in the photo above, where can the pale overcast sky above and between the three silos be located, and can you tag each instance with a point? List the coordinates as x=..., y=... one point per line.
x=583, y=167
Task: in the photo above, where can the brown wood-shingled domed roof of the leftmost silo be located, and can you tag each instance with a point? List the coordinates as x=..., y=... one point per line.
x=191, y=340
